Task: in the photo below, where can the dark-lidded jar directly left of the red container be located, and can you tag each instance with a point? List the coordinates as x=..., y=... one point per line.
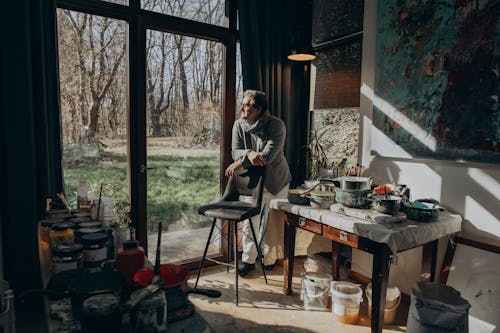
x=95, y=251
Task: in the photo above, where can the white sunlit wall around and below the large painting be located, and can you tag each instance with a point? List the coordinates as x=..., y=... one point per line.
x=471, y=190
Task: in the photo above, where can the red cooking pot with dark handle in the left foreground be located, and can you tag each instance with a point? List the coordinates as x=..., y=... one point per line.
x=174, y=284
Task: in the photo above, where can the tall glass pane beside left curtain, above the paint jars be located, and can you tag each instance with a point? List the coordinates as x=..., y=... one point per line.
x=93, y=93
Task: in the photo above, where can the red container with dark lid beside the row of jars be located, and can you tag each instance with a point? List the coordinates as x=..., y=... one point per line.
x=130, y=259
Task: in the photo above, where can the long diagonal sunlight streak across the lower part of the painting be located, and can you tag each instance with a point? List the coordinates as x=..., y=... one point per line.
x=415, y=130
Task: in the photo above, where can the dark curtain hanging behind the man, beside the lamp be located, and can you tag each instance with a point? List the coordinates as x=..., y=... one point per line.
x=267, y=32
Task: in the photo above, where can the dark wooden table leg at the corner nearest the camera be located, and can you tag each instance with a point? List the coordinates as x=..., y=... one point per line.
x=380, y=276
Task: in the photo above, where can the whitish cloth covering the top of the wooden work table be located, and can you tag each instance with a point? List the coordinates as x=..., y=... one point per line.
x=398, y=236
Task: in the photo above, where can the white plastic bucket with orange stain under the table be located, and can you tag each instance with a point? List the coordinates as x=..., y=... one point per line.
x=346, y=297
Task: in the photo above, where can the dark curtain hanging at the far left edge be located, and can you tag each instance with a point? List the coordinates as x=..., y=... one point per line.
x=30, y=134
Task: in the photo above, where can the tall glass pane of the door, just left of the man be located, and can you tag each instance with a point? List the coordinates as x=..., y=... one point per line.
x=184, y=108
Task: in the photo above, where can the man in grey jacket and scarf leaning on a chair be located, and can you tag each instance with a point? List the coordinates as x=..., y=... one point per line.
x=258, y=139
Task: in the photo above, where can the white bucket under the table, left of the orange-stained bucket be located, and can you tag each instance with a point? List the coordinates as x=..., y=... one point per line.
x=315, y=287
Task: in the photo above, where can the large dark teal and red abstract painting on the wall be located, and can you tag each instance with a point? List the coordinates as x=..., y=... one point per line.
x=437, y=80
